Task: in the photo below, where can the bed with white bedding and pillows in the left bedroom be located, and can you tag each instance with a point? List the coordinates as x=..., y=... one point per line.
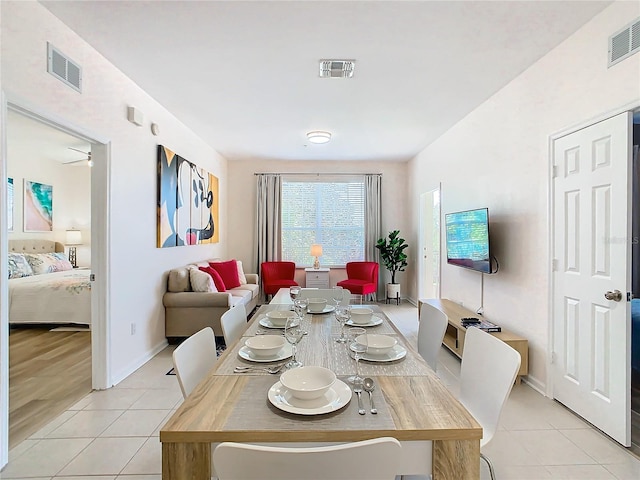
x=44, y=288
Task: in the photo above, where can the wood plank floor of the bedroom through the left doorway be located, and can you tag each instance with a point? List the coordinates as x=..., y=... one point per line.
x=48, y=373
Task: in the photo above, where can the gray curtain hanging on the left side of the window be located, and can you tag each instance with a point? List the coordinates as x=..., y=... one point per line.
x=268, y=209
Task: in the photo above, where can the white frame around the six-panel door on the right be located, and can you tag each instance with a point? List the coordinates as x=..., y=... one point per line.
x=550, y=212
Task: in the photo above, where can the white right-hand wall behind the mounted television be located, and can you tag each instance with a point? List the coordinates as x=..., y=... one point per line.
x=497, y=157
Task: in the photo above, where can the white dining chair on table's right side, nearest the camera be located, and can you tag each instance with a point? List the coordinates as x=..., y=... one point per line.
x=489, y=368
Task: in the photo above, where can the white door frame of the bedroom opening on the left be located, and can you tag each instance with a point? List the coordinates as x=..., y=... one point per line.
x=100, y=252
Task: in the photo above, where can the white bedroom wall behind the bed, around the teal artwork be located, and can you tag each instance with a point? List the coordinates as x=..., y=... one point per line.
x=71, y=194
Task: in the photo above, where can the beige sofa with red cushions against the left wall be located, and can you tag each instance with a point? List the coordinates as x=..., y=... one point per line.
x=187, y=312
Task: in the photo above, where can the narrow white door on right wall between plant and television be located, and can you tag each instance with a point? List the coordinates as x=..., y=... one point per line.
x=429, y=266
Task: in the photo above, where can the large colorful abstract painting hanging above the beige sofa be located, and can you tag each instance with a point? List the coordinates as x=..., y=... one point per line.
x=187, y=202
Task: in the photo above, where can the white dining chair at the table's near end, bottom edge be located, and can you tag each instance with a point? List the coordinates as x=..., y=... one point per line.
x=376, y=459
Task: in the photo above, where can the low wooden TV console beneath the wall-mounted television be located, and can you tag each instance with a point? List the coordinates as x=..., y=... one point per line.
x=454, y=335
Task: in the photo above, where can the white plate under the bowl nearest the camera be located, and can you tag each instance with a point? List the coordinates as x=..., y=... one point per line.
x=336, y=397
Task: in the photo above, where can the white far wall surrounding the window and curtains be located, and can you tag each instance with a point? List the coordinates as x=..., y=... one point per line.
x=242, y=201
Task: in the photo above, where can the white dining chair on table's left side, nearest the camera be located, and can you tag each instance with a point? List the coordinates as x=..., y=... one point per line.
x=193, y=358
